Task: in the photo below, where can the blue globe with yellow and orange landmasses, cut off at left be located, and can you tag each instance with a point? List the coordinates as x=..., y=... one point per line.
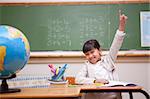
x=14, y=51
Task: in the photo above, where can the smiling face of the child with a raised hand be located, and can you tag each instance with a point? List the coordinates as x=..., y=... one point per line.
x=93, y=56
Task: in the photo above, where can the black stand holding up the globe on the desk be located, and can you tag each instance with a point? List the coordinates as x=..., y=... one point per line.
x=4, y=88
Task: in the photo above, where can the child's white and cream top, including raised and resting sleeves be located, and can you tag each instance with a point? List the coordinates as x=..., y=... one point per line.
x=105, y=68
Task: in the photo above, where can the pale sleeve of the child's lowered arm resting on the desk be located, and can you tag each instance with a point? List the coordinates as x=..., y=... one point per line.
x=82, y=76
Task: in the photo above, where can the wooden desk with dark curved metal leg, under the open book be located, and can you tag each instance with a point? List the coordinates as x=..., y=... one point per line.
x=129, y=89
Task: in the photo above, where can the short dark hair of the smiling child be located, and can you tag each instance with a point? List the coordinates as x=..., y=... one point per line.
x=90, y=44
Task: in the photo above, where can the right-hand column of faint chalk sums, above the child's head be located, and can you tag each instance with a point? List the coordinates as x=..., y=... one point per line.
x=89, y=28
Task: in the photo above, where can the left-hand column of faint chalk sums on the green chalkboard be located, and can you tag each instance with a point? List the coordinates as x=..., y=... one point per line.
x=58, y=32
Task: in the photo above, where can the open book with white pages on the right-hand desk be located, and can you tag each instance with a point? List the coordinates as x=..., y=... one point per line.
x=119, y=83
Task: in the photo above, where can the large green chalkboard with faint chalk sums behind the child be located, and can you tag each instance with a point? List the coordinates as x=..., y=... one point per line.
x=67, y=27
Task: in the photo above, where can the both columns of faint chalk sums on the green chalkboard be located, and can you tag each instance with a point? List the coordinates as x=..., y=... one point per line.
x=59, y=30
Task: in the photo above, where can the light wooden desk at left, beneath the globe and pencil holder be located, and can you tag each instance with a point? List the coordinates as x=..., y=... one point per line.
x=54, y=93
